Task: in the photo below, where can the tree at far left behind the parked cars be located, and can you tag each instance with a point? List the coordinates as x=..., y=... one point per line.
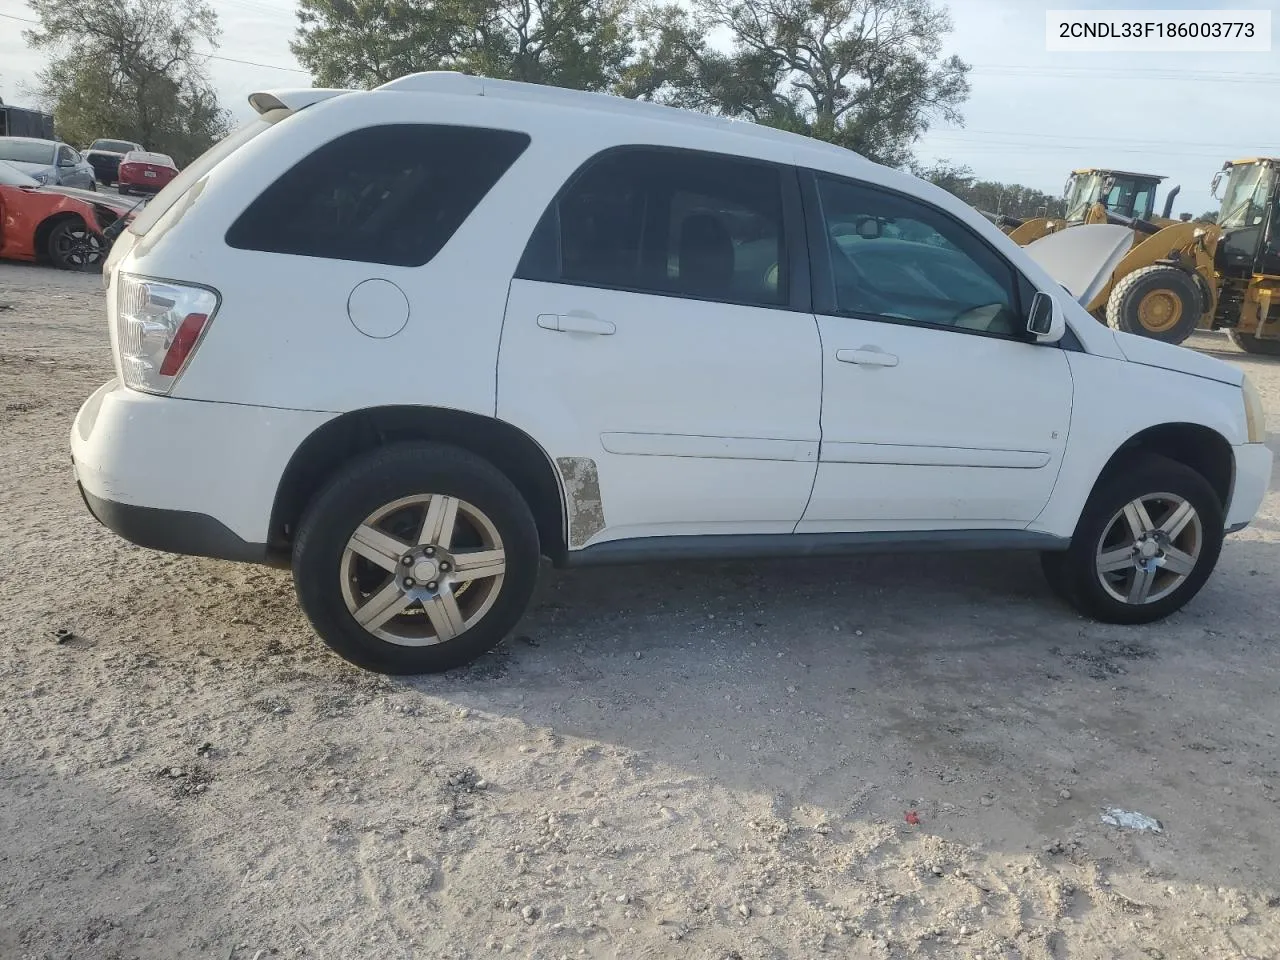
x=129, y=70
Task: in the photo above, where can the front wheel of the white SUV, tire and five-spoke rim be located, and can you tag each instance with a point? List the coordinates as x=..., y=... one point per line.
x=1146, y=543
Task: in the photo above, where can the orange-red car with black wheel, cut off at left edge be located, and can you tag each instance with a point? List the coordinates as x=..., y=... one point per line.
x=61, y=226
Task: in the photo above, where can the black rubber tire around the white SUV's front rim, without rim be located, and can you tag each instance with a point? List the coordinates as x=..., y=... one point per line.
x=1073, y=574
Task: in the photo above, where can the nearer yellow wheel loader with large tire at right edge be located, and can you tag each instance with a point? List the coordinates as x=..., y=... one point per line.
x=1176, y=277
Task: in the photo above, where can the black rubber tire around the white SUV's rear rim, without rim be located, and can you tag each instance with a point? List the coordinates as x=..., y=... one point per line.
x=372, y=483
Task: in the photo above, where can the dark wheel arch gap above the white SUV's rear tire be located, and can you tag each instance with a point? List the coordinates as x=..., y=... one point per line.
x=342, y=440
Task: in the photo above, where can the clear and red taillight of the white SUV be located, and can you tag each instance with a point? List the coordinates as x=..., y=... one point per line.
x=159, y=324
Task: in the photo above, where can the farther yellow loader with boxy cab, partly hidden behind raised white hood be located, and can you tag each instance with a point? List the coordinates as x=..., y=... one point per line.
x=1091, y=196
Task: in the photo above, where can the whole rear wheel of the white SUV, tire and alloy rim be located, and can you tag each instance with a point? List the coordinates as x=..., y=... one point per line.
x=417, y=559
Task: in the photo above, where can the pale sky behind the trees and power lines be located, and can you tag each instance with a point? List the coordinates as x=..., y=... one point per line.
x=1031, y=118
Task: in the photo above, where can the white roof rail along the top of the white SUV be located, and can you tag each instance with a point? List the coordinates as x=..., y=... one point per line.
x=467, y=85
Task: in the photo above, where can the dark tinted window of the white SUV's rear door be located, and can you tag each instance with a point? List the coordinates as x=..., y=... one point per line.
x=670, y=222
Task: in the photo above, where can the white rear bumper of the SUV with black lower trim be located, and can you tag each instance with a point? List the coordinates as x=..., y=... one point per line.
x=185, y=477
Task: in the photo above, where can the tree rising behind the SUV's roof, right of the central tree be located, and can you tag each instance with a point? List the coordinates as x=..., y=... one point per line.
x=867, y=75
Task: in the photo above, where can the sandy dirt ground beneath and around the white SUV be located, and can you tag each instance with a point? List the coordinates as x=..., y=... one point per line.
x=696, y=762
